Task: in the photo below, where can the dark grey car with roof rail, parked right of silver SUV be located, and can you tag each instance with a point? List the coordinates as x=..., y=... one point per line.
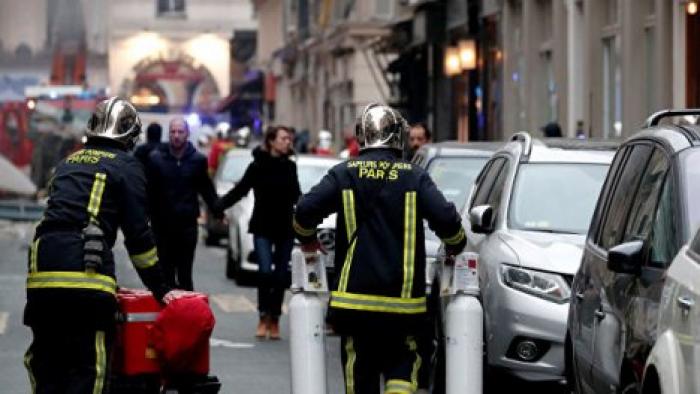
x=649, y=207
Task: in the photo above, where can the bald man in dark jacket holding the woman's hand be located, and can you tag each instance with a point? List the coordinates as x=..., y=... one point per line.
x=177, y=173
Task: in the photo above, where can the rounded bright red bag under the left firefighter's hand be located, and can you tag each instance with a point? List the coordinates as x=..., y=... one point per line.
x=181, y=335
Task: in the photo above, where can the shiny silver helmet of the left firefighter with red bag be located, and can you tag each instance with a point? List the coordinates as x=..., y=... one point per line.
x=115, y=119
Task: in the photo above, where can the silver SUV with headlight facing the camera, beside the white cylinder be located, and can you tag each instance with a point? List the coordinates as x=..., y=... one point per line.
x=528, y=215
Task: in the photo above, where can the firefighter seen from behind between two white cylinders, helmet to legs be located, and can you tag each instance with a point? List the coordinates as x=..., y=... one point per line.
x=378, y=301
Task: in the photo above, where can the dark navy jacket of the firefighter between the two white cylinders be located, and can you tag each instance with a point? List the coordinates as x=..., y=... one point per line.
x=380, y=274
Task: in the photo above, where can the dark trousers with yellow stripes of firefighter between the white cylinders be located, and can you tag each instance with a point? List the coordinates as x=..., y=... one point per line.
x=368, y=358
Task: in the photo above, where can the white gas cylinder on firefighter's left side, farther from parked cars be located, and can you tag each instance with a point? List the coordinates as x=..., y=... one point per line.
x=306, y=324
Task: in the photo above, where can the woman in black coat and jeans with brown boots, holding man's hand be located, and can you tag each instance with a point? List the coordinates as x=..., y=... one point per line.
x=273, y=178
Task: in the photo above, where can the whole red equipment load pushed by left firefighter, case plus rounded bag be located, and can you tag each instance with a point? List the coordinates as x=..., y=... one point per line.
x=161, y=340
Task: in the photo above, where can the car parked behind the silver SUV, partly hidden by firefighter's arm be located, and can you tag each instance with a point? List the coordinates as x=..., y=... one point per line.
x=453, y=166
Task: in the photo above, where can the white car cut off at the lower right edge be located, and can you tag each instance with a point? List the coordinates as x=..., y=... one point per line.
x=672, y=366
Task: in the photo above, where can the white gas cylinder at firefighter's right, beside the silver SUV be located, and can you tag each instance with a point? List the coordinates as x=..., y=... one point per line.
x=463, y=326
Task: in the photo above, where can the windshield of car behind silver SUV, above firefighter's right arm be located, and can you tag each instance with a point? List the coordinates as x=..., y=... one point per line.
x=454, y=176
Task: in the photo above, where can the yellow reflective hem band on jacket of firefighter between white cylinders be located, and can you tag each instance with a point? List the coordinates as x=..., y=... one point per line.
x=374, y=303
